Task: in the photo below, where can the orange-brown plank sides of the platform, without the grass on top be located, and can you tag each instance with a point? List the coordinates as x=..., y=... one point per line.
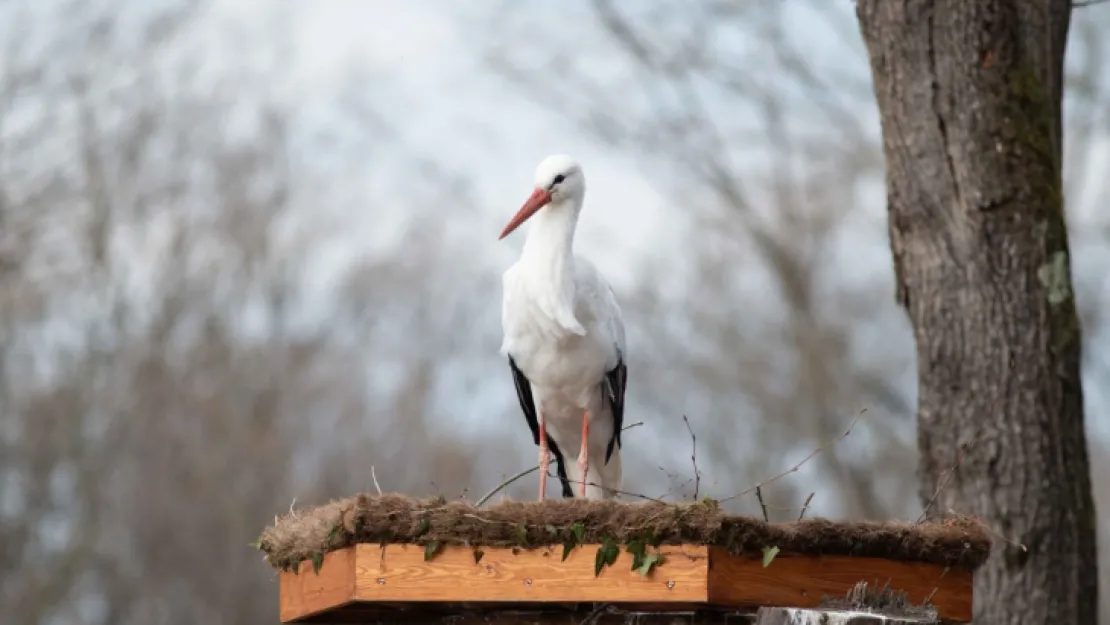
x=366, y=582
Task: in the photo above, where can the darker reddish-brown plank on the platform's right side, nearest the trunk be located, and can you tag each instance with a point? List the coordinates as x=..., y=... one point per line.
x=793, y=581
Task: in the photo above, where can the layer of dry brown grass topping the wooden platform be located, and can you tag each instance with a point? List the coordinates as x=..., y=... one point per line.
x=306, y=533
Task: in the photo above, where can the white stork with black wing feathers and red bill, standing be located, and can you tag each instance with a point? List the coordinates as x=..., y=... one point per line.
x=566, y=339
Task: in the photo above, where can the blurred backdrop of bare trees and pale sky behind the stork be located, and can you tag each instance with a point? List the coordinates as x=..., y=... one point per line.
x=249, y=251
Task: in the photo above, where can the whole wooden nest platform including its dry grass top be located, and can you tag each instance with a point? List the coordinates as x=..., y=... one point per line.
x=377, y=559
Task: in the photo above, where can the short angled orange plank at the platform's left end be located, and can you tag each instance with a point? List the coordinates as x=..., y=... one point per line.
x=308, y=593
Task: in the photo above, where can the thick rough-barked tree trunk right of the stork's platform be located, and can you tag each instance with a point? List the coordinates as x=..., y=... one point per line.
x=970, y=95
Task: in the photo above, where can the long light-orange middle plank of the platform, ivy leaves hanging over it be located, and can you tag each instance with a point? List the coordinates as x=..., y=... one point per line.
x=400, y=574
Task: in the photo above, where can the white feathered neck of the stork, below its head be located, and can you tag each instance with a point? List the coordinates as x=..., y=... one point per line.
x=549, y=255
